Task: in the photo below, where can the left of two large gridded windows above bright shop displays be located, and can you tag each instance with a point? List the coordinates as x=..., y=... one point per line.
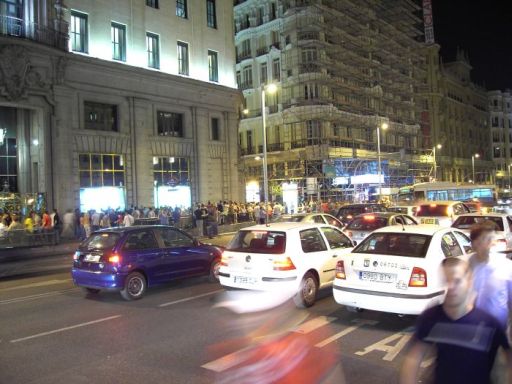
x=100, y=170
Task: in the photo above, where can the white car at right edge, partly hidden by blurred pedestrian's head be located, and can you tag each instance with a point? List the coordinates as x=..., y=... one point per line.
x=503, y=222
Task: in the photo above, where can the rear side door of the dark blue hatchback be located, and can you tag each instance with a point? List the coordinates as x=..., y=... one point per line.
x=142, y=251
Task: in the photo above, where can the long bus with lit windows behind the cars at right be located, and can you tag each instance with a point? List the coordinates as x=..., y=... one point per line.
x=484, y=193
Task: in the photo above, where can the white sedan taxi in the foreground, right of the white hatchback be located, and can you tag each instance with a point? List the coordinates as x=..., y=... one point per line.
x=396, y=269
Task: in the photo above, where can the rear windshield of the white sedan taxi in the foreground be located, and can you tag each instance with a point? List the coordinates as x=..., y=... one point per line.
x=395, y=244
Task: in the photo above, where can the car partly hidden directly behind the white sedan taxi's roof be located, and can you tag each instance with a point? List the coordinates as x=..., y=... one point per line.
x=362, y=225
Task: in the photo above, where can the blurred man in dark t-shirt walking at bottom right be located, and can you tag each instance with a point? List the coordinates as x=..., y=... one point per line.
x=466, y=338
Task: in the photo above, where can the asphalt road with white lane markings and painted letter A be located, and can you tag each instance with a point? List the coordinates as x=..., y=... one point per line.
x=54, y=333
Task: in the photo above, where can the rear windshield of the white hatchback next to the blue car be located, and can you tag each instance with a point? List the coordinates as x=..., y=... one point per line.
x=258, y=242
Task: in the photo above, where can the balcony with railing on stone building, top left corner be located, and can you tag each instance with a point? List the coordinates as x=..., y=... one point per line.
x=14, y=27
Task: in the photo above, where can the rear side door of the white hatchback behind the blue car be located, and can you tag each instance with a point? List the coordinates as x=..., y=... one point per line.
x=316, y=254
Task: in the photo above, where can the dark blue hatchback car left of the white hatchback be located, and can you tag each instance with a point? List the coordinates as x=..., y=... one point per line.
x=130, y=259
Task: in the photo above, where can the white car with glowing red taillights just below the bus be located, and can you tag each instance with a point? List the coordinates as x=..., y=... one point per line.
x=440, y=212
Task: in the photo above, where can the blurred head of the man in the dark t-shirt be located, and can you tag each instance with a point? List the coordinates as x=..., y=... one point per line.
x=458, y=277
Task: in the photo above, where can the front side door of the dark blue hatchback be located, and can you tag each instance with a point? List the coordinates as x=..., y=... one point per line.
x=181, y=257
